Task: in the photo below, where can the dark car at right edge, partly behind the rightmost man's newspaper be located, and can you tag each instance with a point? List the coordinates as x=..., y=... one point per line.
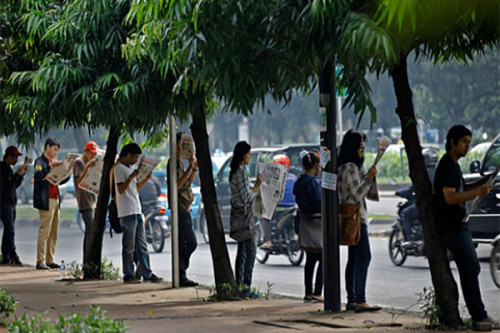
x=484, y=221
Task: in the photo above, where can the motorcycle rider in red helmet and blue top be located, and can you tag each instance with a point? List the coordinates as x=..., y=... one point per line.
x=287, y=203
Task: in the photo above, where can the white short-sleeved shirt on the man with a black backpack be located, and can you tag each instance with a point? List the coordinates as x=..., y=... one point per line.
x=128, y=202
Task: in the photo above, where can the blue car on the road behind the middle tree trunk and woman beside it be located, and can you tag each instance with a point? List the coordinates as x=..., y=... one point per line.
x=258, y=156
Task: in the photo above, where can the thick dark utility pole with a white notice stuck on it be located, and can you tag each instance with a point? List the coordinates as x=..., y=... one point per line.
x=329, y=201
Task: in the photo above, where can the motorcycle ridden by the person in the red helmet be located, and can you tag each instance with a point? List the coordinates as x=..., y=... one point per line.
x=284, y=239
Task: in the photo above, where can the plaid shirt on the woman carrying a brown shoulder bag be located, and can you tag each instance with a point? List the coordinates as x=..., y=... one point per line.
x=355, y=186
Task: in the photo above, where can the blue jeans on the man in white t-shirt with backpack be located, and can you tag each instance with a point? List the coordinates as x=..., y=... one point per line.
x=134, y=239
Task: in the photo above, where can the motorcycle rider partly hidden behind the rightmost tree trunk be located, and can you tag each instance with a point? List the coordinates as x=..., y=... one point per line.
x=410, y=213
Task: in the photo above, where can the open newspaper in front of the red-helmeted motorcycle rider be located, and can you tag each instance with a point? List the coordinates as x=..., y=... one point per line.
x=271, y=190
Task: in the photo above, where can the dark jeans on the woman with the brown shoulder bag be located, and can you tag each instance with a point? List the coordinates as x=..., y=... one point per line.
x=356, y=270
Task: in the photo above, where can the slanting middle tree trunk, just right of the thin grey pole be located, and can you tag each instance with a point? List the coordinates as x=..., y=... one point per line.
x=222, y=266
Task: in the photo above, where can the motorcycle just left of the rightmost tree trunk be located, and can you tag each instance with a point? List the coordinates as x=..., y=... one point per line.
x=409, y=242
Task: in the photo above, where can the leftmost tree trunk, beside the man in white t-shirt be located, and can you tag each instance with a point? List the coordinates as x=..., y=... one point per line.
x=93, y=270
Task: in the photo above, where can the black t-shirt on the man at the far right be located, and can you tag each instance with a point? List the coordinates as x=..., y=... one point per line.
x=449, y=217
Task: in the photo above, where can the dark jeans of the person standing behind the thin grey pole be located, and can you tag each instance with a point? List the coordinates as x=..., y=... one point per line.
x=187, y=243
